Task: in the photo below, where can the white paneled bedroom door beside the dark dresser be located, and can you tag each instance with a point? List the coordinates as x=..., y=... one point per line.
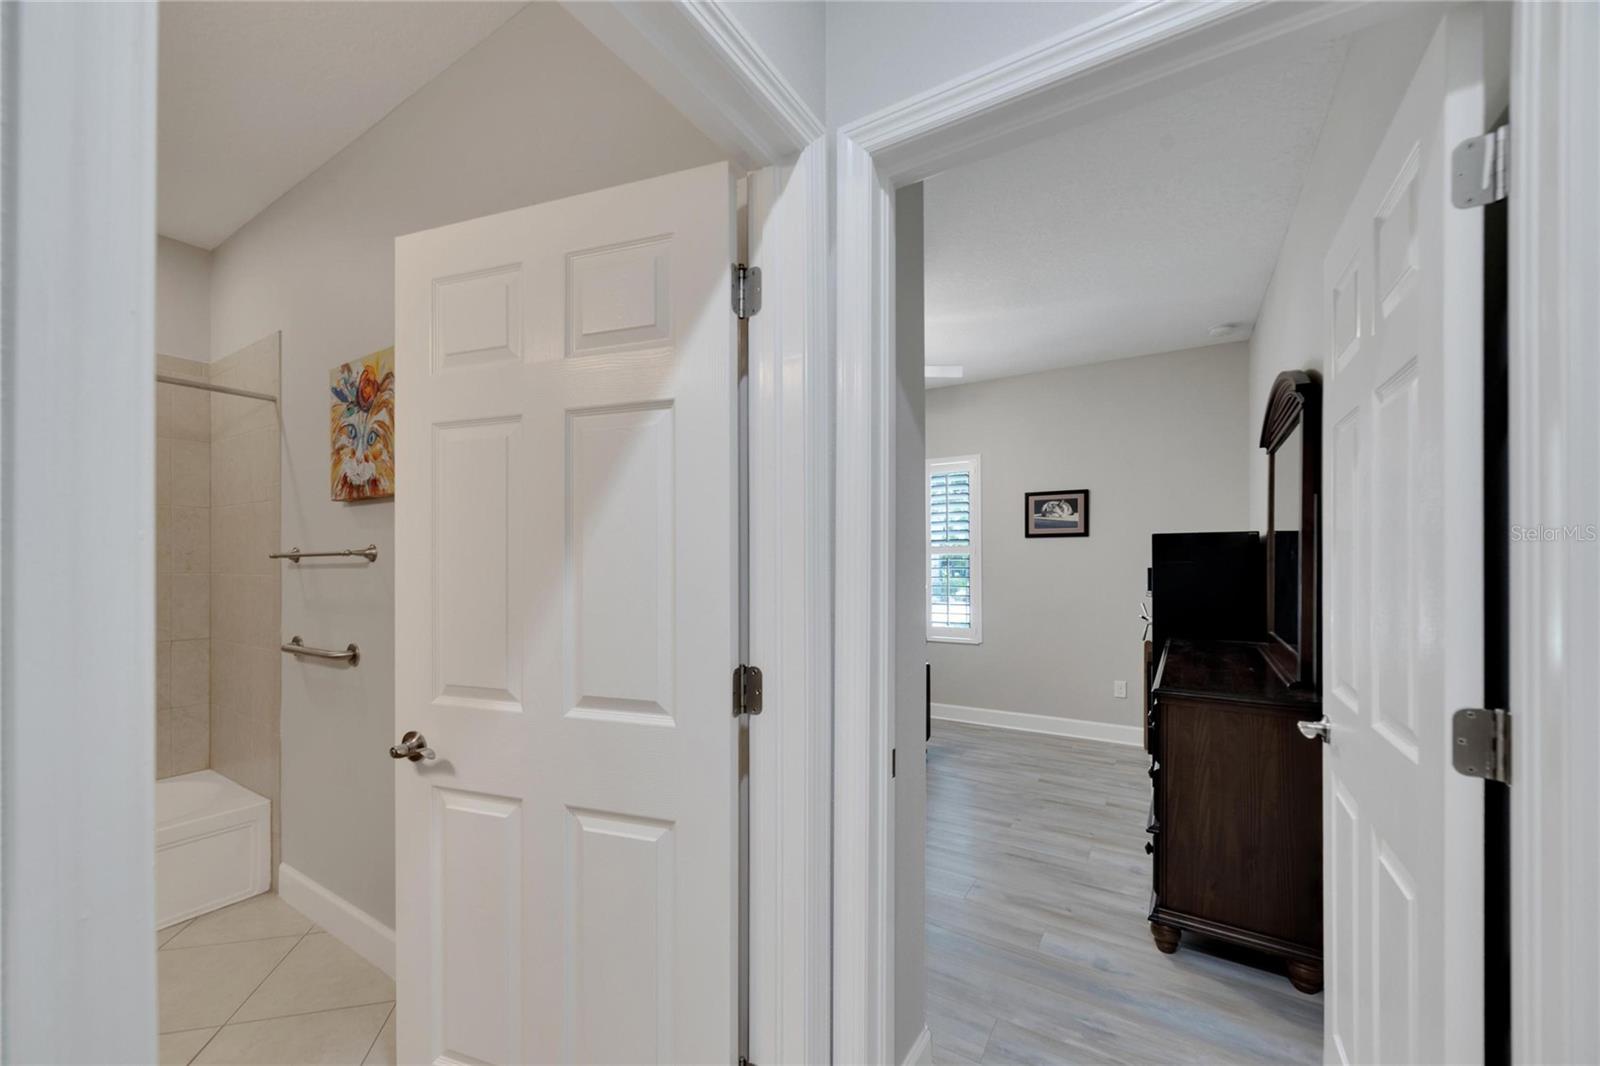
x=1404, y=585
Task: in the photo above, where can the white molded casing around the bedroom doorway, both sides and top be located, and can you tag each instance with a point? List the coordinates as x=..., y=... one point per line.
x=1116, y=60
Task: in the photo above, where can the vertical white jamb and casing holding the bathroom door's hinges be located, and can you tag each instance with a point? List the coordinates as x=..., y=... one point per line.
x=791, y=601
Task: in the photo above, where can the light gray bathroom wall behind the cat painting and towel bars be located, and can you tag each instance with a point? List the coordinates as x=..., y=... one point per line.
x=535, y=113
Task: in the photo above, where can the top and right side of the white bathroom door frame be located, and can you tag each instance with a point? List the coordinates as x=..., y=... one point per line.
x=700, y=58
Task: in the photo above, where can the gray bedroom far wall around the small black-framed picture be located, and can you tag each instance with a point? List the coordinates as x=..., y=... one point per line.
x=1156, y=443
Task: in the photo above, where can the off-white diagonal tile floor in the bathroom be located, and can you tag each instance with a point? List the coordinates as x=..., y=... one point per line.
x=260, y=984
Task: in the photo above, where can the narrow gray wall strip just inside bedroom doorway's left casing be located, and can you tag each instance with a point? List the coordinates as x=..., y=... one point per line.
x=911, y=779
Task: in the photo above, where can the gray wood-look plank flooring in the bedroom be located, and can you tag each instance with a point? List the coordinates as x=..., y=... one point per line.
x=1039, y=950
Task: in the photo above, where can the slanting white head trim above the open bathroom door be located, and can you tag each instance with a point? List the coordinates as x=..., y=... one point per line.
x=700, y=58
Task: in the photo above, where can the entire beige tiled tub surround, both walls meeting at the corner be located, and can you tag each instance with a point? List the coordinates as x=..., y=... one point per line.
x=218, y=595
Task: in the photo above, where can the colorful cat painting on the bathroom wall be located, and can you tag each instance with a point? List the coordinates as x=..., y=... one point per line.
x=364, y=428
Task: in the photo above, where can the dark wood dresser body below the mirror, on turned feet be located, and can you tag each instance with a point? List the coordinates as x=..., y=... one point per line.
x=1236, y=822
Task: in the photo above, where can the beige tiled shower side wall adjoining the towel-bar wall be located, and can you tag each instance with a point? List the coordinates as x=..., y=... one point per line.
x=246, y=585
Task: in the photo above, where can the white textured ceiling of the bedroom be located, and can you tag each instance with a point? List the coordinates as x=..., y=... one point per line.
x=1127, y=236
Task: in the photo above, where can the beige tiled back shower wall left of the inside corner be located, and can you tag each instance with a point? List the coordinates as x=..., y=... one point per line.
x=183, y=572
